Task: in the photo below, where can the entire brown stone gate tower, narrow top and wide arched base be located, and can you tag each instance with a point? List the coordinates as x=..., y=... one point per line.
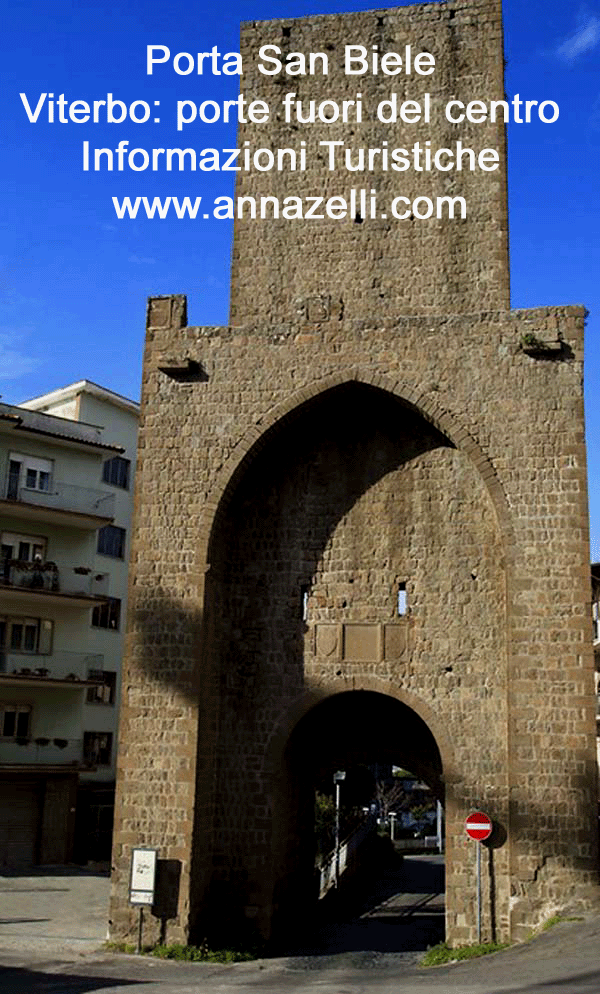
x=375, y=428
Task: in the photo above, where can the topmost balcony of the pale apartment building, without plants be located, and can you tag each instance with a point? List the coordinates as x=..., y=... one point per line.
x=61, y=503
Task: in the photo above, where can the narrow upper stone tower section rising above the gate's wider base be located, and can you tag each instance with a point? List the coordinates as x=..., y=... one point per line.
x=379, y=267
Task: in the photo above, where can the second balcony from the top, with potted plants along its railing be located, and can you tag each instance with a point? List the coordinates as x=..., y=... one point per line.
x=31, y=584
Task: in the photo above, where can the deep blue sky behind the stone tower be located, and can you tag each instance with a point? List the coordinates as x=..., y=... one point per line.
x=74, y=279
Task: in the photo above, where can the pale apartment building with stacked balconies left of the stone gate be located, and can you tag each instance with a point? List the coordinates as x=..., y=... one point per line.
x=67, y=462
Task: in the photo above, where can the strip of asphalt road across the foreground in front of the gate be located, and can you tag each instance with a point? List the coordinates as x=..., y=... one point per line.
x=563, y=961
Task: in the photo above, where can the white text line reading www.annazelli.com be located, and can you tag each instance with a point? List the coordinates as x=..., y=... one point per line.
x=359, y=205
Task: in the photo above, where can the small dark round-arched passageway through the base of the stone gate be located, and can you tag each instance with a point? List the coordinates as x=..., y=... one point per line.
x=392, y=903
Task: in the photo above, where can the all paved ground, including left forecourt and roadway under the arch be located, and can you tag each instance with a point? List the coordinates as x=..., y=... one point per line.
x=52, y=928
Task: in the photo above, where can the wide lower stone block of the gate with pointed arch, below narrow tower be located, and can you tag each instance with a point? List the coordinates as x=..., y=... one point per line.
x=348, y=459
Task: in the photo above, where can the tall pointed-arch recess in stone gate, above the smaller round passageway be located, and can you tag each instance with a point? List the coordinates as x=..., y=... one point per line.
x=352, y=538
